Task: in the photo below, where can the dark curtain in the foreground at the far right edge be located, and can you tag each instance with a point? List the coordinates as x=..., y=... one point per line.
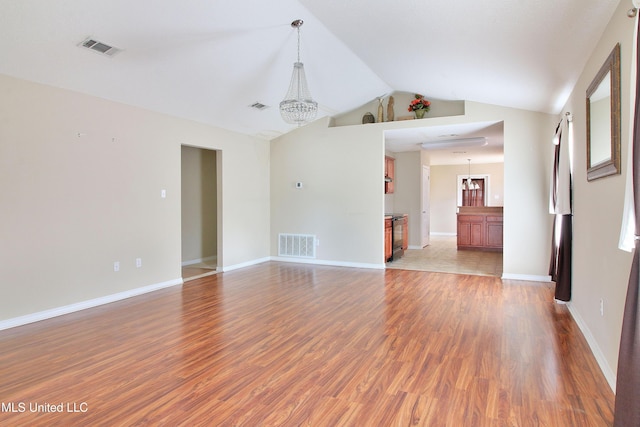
x=627, y=410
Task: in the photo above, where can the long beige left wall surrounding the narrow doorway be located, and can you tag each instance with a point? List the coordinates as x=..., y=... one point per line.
x=80, y=179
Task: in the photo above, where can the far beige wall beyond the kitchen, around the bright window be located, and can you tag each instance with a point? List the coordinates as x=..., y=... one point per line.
x=444, y=192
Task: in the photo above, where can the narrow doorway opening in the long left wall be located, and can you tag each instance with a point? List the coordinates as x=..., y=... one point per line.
x=199, y=208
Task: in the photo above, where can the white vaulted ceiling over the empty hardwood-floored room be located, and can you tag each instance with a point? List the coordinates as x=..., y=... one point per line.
x=209, y=60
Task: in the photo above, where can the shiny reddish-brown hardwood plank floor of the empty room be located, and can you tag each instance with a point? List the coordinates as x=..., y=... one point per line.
x=288, y=344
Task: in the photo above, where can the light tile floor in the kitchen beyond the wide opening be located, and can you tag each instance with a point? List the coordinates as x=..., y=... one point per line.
x=442, y=255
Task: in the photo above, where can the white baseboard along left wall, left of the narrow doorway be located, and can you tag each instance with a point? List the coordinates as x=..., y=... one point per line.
x=83, y=305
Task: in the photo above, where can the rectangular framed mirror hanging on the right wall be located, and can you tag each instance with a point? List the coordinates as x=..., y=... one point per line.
x=603, y=119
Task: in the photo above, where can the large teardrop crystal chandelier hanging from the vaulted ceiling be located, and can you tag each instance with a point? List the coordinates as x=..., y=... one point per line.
x=297, y=106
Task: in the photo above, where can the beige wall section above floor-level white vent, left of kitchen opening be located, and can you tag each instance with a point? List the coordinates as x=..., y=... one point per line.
x=341, y=201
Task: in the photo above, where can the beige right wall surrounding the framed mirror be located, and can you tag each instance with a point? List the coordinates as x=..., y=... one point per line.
x=600, y=270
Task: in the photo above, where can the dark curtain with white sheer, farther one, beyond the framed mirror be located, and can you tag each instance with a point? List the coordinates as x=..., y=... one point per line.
x=562, y=236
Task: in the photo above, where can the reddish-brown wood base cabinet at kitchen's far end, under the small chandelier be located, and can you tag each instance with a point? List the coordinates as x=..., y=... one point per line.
x=480, y=228
